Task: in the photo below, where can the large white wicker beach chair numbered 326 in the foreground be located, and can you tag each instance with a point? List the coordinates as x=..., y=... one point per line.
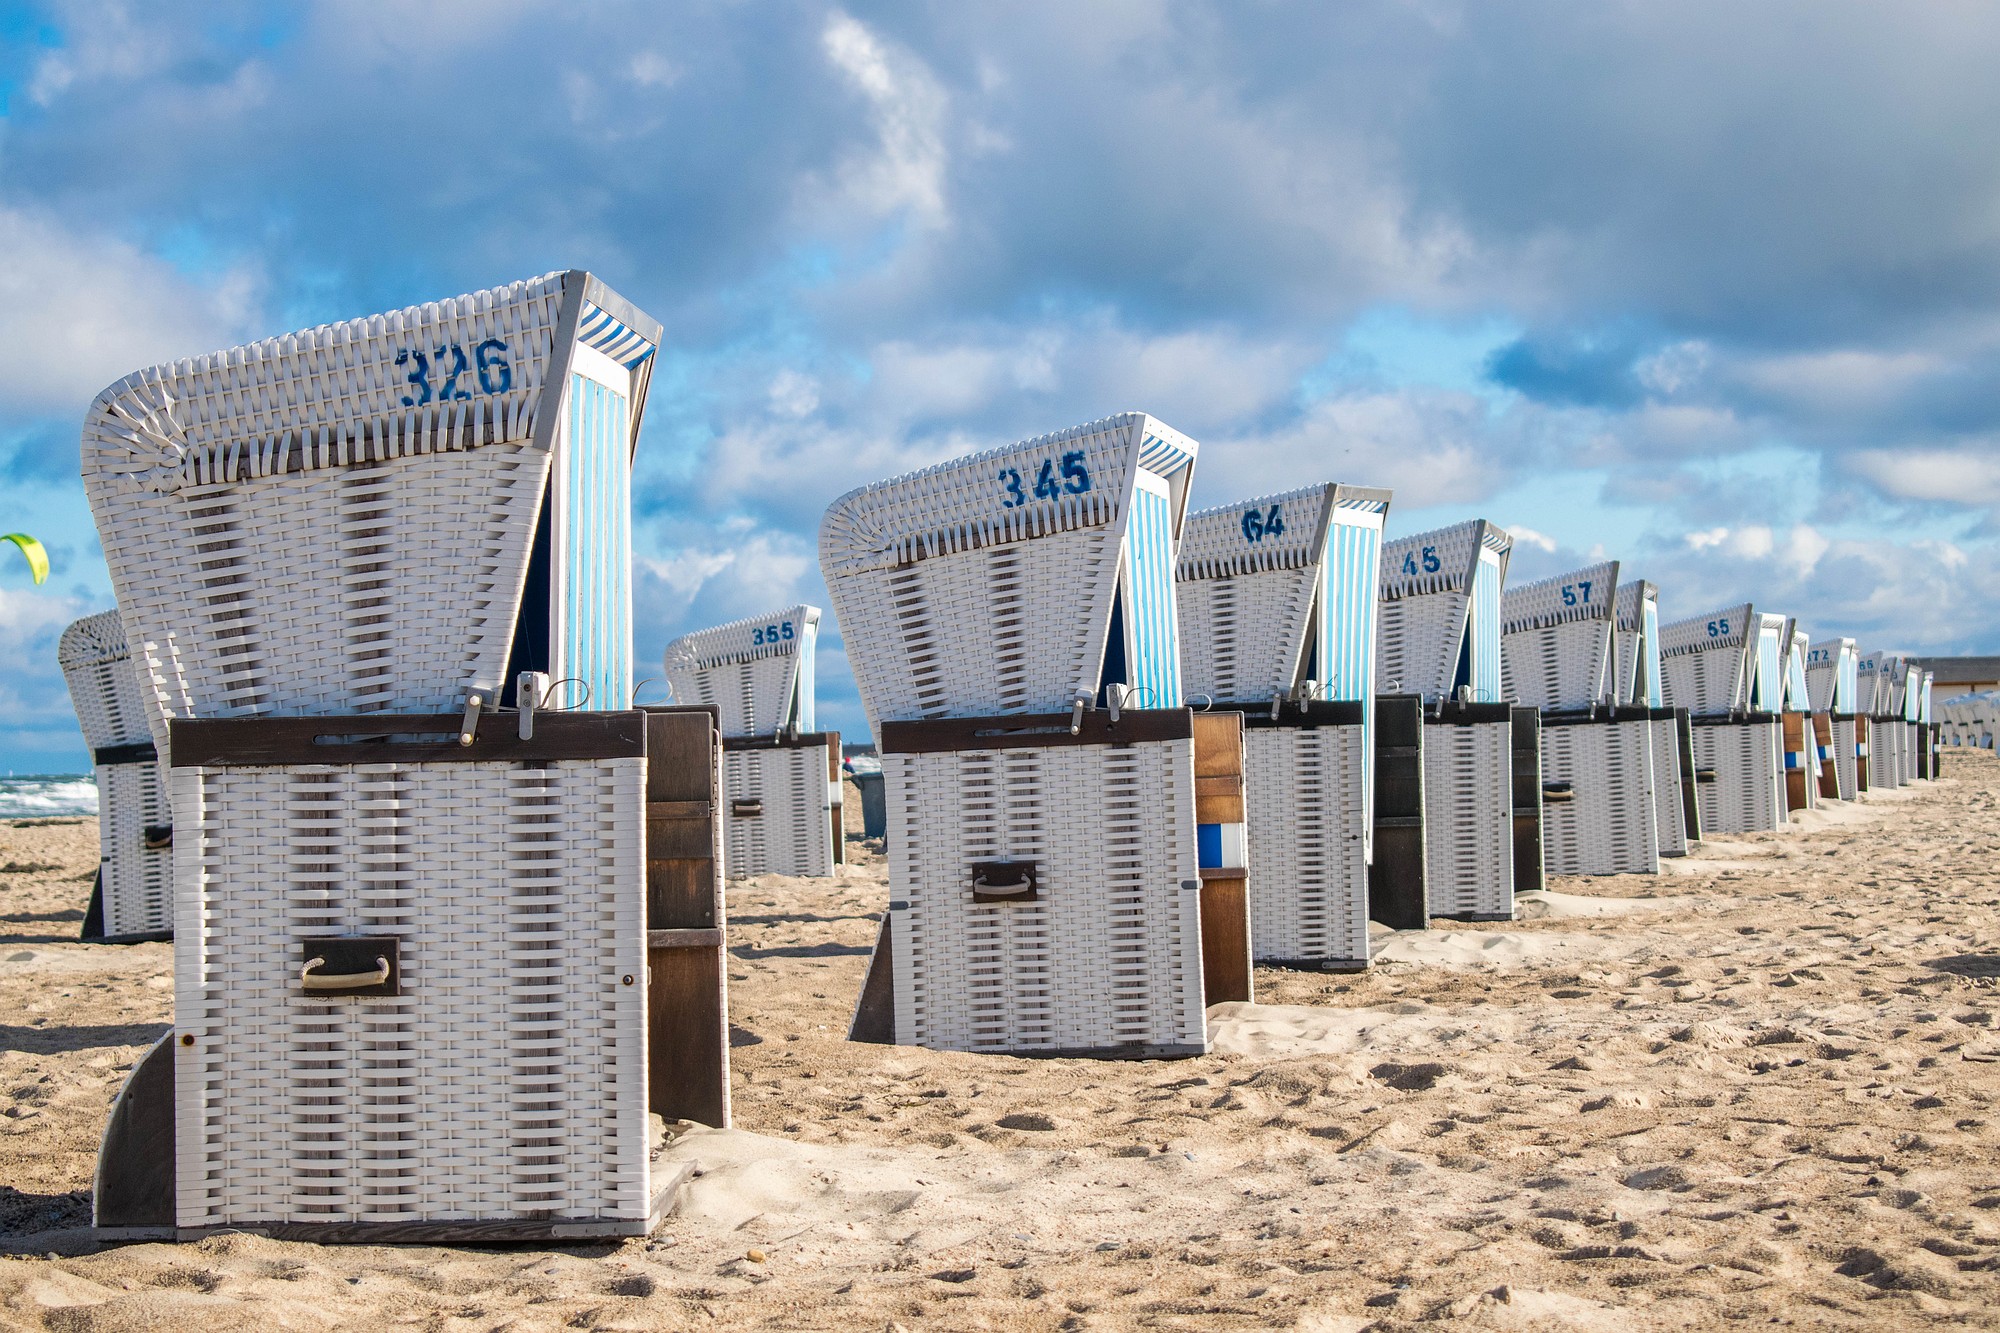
x=435, y=964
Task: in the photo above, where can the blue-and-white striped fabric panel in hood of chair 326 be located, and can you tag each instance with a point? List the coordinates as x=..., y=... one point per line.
x=597, y=549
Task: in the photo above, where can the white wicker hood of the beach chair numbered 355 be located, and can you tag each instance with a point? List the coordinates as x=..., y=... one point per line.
x=755, y=672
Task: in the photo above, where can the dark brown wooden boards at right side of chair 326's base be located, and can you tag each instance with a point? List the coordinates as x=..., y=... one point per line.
x=687, y=1008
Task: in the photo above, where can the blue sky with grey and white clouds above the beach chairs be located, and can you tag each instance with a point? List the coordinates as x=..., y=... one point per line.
x=1711, y=289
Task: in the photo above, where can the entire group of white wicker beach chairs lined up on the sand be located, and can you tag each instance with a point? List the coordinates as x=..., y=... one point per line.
x=447, y=902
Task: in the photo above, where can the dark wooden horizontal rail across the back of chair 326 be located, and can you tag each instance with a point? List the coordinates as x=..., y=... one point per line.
x=265, y=742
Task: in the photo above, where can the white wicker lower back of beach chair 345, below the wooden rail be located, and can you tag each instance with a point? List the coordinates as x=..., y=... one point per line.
x=1109, y=954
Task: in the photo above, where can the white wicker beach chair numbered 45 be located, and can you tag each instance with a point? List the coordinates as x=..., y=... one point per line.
x=1441, y=639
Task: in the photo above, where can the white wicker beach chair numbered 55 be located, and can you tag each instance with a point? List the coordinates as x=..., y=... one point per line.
x=1727, y=670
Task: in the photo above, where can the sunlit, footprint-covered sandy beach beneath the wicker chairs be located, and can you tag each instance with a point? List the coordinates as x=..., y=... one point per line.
x=1759, y=1090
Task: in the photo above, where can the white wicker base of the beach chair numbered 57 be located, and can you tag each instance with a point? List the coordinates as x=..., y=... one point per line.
x=1611, y=824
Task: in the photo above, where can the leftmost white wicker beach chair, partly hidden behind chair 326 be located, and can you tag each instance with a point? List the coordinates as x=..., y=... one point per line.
x=135, y=892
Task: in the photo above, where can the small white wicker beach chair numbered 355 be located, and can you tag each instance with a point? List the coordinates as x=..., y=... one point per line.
x=781, y=778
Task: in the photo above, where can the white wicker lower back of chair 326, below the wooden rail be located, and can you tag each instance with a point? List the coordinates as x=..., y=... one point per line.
x=507, y=1082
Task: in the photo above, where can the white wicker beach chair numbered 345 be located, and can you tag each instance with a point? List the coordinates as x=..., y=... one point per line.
x=1067, y=840
